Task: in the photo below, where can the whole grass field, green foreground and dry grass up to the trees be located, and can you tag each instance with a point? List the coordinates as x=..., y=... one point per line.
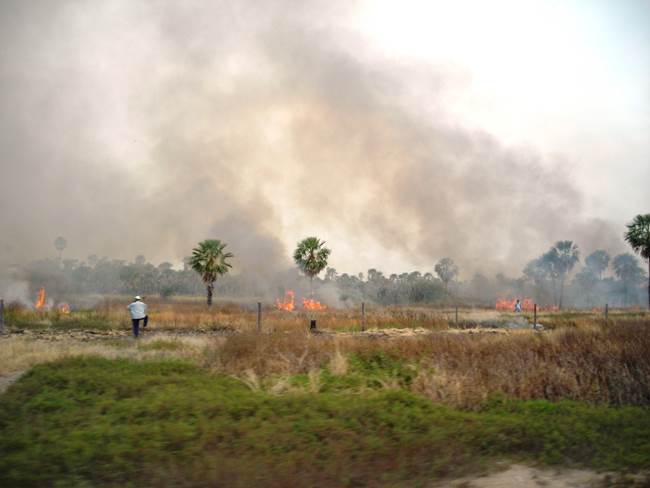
x=202, y=399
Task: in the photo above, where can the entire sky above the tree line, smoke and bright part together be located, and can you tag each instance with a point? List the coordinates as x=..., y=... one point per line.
x=400, y=132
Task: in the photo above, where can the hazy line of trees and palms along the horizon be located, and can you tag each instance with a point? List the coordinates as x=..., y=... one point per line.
x=557, y=278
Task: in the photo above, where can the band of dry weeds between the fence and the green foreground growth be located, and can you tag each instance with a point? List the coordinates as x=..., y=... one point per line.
x=597, y=362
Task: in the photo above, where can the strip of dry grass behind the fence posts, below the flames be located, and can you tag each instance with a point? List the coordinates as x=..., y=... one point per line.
x=229, y=316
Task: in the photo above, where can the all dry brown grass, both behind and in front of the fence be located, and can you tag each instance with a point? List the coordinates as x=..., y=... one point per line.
x=581, y=357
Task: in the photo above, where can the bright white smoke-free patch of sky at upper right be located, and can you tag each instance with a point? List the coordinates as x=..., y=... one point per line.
x=565, y=77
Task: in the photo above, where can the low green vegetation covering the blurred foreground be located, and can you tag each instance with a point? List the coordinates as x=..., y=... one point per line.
x=91, y=421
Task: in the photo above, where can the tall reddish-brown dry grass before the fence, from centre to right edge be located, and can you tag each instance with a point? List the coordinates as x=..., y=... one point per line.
x=600, y=364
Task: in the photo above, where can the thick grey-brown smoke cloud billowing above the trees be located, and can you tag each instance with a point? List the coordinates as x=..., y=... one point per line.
x=141, y=127
